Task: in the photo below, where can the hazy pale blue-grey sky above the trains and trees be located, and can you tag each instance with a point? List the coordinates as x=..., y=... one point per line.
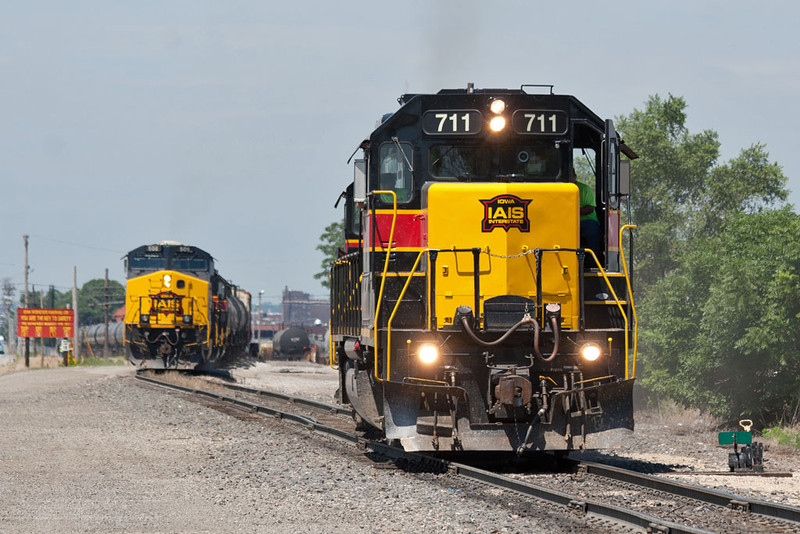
x=227, y=125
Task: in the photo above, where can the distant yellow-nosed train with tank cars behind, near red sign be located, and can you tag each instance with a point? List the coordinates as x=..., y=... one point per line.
x=179, y=312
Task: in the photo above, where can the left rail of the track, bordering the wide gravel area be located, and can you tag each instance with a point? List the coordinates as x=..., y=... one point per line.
x=587, y=507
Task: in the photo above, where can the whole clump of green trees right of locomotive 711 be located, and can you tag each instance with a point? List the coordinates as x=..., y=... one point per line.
x=708, y=255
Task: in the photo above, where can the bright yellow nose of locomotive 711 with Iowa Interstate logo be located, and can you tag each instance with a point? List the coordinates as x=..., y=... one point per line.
x=508, y=222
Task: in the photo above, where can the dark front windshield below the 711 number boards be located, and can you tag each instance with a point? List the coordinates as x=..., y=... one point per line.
x=474, y=163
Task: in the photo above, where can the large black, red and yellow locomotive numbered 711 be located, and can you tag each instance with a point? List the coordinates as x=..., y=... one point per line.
x=467, y=313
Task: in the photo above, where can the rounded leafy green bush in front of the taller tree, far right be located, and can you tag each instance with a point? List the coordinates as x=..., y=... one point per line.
x=724, y=332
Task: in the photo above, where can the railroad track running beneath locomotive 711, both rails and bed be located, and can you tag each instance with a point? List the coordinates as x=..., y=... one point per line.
x=648, y=503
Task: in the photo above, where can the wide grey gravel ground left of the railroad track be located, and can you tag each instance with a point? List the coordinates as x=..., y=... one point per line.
x=93, y=450
